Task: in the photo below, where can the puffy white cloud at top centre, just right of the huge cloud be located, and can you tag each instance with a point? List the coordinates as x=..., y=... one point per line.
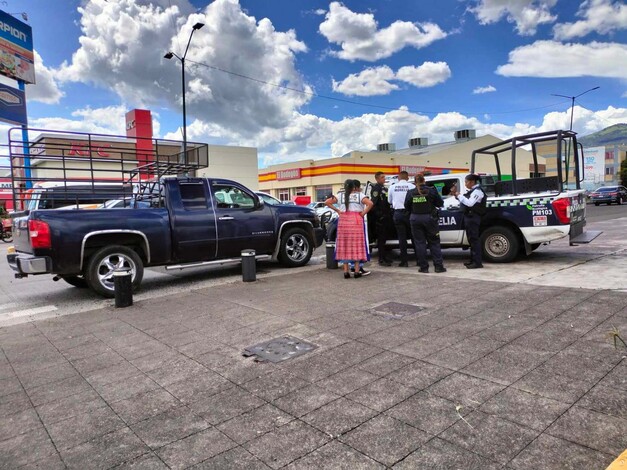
x=360, y=38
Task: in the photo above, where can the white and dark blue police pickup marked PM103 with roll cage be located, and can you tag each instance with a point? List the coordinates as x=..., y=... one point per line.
x=522, y=212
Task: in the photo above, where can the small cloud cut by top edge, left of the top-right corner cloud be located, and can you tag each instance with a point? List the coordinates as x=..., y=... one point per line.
x=525, y=14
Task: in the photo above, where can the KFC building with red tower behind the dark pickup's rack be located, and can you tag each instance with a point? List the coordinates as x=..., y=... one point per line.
x=73, y=157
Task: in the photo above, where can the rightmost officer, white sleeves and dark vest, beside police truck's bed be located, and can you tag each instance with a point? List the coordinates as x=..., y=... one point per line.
x=474, y=206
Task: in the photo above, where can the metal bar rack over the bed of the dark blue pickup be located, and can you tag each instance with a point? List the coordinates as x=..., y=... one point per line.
x=60, y=169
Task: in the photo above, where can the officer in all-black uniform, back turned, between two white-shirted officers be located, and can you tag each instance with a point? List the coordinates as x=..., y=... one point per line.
x=422, y=203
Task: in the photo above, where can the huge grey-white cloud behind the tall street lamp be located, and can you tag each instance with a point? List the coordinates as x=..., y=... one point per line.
x=113, y=54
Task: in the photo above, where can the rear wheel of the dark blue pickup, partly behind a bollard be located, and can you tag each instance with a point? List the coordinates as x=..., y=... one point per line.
x=101, y=265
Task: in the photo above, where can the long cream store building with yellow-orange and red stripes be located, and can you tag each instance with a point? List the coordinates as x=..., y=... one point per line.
x=319, y=178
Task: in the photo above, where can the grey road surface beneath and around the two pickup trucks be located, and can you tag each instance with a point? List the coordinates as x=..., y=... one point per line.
x=39, y=297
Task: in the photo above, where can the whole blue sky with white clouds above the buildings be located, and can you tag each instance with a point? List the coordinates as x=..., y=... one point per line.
x=312, y=79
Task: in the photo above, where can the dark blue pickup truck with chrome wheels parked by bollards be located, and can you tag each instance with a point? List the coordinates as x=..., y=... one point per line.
x=194, y=222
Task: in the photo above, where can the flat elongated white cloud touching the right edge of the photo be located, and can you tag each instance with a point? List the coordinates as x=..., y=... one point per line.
x=551, y=59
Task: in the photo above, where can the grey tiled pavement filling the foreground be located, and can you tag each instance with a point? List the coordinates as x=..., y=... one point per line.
x=521, y=377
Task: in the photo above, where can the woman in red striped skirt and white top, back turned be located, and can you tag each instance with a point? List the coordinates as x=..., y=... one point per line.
x=351, y=243
